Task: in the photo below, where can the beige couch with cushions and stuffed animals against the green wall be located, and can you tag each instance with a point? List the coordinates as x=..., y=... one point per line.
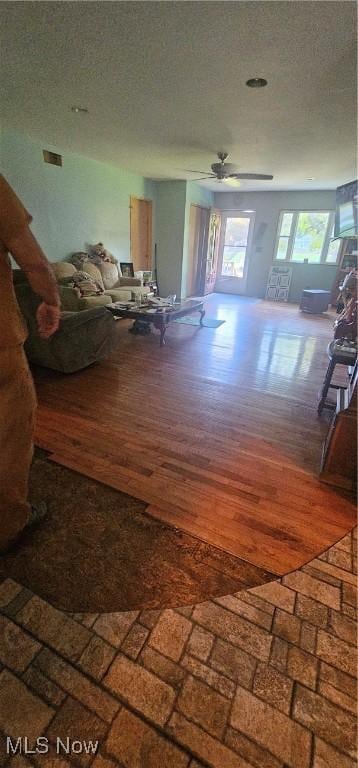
x=114, y=286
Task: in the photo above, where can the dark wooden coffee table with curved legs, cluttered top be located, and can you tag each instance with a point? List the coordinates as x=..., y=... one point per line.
x=160, y=318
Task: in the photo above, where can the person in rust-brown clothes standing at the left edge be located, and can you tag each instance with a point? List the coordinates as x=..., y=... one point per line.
x=17, y=394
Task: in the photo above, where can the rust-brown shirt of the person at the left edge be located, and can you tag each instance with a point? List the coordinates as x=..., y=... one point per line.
x=13, y=219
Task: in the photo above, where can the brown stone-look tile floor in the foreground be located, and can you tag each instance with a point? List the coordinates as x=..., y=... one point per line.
x=261, y=679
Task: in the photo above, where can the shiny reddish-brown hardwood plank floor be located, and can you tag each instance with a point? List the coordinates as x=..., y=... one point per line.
x=218, y=430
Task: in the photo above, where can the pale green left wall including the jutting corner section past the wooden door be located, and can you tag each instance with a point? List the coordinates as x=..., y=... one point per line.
x=84, y=202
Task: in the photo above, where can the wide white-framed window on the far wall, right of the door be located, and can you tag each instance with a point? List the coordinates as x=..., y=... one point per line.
x=307, y=236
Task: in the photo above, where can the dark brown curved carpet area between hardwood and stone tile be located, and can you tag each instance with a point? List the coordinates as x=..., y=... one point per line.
x=98, y=551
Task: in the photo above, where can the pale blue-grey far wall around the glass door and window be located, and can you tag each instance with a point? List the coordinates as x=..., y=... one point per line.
x=267, y=207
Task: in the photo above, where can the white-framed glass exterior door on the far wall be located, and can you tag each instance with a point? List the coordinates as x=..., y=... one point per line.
x=234, y=251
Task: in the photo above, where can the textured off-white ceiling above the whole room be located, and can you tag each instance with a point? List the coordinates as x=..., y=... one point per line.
x=164, y=83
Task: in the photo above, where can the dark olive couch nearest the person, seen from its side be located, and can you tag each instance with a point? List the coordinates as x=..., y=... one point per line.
x=83, y=337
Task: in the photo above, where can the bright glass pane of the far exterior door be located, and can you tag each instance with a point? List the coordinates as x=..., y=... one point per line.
x=235, y=244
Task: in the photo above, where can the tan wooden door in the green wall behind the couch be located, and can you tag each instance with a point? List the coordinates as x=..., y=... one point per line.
x=141, y=233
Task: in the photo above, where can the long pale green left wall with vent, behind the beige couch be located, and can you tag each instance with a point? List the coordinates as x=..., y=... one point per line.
x=81, y=203
